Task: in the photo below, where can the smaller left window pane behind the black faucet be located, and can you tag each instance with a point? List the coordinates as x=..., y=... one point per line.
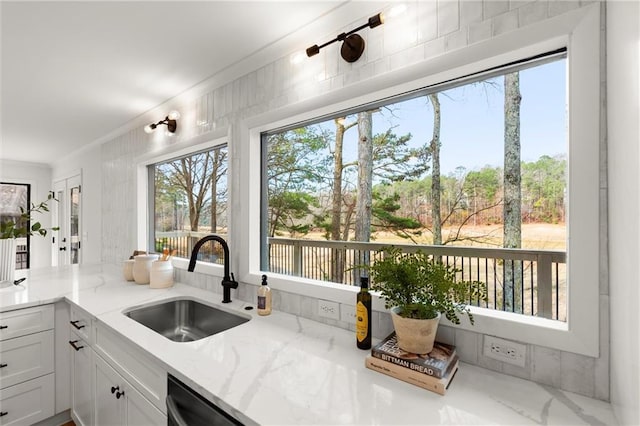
x=188, y=200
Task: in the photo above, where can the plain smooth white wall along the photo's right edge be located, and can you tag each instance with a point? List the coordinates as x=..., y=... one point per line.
x=623, y=46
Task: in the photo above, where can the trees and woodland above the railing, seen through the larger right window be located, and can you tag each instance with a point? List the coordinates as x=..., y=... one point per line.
x=387, y=181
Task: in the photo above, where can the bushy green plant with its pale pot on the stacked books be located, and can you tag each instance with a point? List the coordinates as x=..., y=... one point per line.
x=418, y=289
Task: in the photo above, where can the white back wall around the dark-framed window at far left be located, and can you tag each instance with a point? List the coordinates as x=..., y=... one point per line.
x=39, y=176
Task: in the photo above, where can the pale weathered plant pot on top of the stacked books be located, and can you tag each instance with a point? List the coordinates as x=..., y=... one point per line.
x=414, y=335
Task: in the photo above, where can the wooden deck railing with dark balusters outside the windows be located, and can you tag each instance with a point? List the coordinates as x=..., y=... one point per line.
x=537, y=278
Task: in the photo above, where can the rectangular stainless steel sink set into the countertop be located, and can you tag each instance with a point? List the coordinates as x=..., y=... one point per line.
x=185, y=320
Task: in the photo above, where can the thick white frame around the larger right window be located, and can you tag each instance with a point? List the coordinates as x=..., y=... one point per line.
x=579, y=32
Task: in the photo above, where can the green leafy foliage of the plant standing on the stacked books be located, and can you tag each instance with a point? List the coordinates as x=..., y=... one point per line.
x=421, y=286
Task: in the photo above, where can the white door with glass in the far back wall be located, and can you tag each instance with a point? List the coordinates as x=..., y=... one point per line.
x=67, y=243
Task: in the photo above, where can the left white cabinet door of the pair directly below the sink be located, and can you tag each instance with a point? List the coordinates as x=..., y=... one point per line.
x=109, y=400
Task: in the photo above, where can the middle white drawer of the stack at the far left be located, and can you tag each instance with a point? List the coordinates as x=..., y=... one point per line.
x=25, y=358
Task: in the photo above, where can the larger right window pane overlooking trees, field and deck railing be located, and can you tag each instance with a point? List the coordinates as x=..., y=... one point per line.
x=474, y=170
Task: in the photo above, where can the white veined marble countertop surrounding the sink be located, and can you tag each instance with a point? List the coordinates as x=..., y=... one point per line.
x=283, y=369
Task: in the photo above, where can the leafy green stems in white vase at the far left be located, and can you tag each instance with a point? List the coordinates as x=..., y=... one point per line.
x=21, y=227
